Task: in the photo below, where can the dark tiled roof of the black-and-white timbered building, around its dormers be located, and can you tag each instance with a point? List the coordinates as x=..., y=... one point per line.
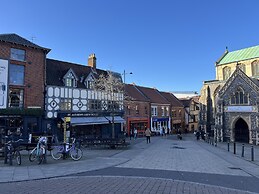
x=57, y=69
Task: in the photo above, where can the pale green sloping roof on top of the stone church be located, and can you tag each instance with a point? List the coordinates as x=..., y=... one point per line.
x=239, y=55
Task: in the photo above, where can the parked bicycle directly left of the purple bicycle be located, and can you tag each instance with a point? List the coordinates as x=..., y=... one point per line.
x=39, y=152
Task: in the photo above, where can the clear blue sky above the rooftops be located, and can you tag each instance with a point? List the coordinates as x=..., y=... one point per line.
x=171, y=45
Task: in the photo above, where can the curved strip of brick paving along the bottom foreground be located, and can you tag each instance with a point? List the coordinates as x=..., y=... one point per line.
x=105, y=184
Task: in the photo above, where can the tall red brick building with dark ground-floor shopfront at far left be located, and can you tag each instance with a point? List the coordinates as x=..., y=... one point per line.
x=22, y=78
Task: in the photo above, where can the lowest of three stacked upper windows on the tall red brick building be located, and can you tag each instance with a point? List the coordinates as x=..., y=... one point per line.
x=16, y=98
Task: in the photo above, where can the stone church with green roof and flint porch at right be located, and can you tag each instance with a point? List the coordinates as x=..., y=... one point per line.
x=229, y=104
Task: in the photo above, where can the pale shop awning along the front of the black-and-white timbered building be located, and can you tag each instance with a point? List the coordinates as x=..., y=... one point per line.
x=95, y=120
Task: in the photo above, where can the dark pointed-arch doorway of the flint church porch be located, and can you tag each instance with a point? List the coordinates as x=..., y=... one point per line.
x=241, y=131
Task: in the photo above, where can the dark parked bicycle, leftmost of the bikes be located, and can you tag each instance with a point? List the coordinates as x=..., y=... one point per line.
x=12, y=152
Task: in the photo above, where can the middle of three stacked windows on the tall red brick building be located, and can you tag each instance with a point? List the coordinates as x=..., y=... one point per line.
x=16, y=74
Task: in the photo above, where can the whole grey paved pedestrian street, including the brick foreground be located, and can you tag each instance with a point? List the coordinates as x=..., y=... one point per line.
x=166, y=165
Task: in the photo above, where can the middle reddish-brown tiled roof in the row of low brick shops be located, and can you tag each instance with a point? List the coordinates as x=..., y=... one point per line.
x=153, y=94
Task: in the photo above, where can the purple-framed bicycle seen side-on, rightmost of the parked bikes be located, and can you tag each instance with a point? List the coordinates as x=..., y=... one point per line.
x=71, y=149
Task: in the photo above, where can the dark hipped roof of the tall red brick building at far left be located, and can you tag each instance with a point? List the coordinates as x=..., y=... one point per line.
x=16, y=39
